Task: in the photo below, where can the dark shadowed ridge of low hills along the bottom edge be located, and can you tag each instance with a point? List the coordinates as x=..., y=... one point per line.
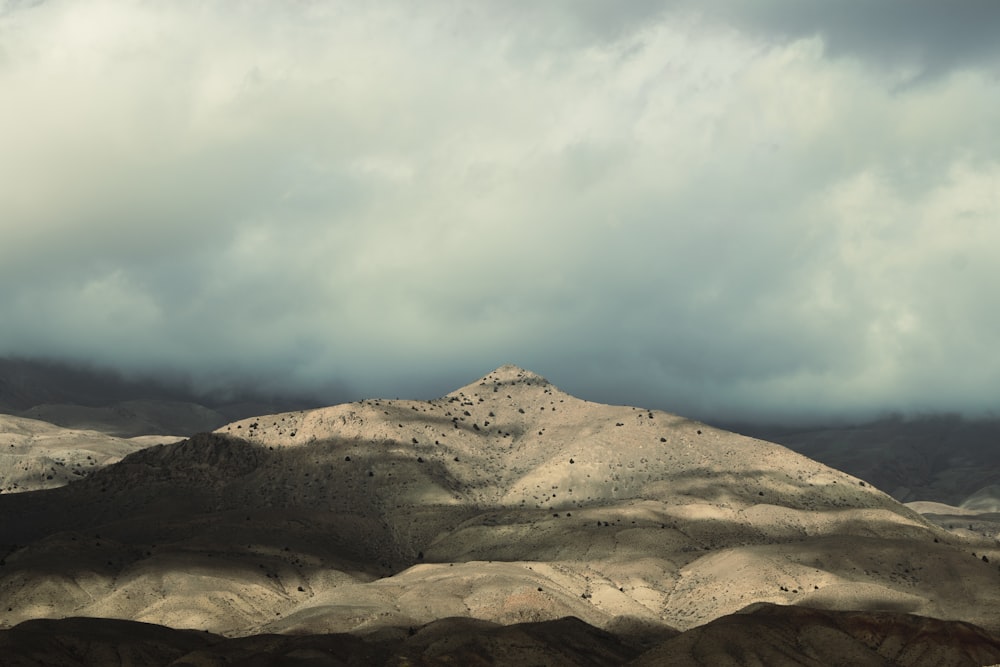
x=762, y=635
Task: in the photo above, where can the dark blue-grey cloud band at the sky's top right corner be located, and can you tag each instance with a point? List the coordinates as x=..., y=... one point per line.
x=929, y=38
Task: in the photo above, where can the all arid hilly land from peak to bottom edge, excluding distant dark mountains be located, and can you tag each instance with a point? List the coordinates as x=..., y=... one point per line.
x=504, y=523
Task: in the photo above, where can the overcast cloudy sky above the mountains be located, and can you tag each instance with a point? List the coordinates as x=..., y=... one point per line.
x=716, y=207
